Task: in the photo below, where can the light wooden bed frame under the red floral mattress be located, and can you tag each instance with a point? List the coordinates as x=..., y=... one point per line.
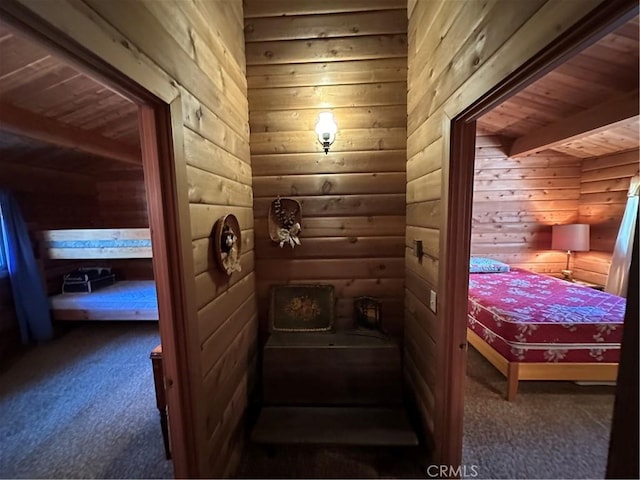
x=516, y=371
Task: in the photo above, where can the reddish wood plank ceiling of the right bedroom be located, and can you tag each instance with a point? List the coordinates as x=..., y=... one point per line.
x=602, y=75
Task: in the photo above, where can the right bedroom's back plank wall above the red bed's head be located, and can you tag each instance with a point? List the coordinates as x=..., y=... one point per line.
x=517, y=200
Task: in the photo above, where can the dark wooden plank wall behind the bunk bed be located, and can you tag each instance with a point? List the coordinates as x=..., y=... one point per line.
x=54, y=199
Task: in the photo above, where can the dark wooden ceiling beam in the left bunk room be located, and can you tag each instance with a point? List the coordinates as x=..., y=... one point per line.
x=28, y=124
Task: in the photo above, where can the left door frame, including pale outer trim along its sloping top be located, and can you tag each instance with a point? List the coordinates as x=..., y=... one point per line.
x=164, y=166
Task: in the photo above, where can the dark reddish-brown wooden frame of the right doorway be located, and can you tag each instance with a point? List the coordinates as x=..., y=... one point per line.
x=459, y=179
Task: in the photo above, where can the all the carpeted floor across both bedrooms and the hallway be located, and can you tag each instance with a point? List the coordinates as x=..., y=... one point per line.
x=83, y=406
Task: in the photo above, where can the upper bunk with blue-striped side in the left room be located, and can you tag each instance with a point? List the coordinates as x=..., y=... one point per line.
x=96, y=243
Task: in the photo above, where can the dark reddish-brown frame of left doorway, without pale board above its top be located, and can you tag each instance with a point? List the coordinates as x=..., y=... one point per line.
x=162, y=159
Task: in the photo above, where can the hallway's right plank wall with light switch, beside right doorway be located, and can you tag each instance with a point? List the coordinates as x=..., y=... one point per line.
x=458, y=50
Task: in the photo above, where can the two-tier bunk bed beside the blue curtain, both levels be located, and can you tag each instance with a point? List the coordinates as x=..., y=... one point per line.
x=124, y=300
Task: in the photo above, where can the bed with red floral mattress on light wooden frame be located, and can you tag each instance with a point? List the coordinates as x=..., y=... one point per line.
x=537, y=327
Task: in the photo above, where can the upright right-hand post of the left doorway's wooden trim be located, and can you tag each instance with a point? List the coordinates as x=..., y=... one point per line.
x=165, y=183
